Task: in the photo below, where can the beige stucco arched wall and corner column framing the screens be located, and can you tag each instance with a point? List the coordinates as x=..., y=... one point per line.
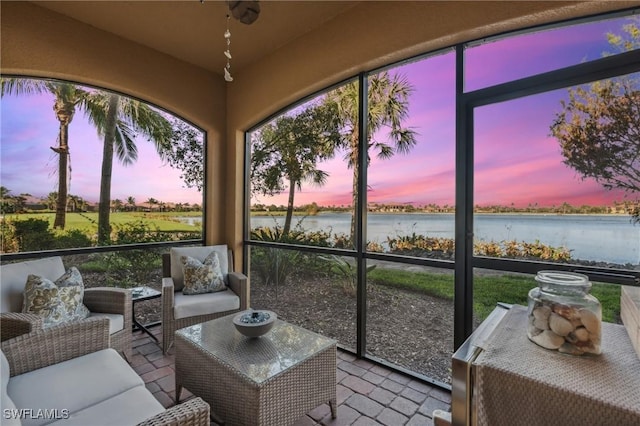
x=39, y=42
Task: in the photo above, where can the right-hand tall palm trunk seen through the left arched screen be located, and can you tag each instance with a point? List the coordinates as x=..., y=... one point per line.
x=104, y=228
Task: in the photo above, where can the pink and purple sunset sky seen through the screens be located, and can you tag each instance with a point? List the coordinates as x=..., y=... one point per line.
x=530, y=173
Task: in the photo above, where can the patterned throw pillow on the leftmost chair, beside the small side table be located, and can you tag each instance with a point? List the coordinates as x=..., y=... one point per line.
x=56, y=302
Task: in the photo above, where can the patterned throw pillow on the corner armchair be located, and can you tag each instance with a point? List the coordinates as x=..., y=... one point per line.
x=202, y=277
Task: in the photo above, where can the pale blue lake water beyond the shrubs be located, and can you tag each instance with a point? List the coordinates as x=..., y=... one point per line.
x=605, y=238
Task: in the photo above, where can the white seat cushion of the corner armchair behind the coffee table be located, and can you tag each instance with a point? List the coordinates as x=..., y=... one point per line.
x=185, y=306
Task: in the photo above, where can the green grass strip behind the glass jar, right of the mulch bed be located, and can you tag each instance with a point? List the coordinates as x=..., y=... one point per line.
x=488, y=289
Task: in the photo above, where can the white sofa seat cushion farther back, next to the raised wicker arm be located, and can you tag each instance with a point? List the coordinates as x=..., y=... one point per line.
x=74, y=384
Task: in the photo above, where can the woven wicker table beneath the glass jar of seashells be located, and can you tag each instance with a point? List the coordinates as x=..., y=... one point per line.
x=520, y=383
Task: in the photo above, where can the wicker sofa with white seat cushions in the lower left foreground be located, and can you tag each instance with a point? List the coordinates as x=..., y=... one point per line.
x=67, y=375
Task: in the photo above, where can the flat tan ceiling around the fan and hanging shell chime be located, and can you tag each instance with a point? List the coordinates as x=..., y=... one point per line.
x=193, y=31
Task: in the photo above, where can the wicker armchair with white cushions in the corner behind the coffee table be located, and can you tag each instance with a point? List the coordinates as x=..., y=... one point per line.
x=172, y=298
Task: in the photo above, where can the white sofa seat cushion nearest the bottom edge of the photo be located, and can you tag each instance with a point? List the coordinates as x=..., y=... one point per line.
x=128, y=408
